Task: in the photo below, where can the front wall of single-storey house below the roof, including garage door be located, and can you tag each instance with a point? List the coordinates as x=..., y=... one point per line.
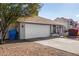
x=28, y=31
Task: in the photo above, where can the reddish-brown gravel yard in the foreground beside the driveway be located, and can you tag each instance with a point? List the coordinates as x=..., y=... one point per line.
x=31, y=49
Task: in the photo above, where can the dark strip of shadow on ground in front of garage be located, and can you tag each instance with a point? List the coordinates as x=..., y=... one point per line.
x=26, y=40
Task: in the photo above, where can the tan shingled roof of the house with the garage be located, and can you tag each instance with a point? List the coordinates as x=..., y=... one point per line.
x=38, y=20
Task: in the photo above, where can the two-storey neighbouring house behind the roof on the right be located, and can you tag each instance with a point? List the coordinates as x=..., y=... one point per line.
x=68, y=23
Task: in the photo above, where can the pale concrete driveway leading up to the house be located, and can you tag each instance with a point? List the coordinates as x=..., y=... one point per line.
x=65, y=44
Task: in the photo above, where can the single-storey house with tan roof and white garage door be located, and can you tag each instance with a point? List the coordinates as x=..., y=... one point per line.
x=36, y=27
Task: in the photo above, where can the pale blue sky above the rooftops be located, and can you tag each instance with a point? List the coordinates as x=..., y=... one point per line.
x=54, y=10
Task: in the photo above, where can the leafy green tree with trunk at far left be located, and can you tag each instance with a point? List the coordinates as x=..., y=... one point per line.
x=10, y=12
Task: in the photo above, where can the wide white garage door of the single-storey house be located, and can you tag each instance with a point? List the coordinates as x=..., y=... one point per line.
x=36, y=30
